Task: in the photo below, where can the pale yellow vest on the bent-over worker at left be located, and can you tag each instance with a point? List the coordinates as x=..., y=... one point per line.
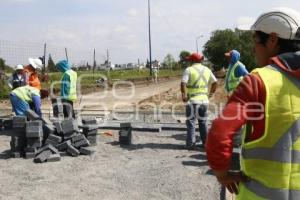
x=25, y=93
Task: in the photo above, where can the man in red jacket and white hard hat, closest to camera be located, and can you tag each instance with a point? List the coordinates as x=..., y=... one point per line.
x=268, y=101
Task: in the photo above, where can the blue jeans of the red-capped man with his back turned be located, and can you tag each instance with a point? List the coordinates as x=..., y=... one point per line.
x=196, y=112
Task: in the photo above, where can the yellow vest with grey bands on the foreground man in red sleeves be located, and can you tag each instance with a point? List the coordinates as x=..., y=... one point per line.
x=273, y=161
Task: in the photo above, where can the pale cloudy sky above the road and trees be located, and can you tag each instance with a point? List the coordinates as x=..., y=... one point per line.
x=121, y=26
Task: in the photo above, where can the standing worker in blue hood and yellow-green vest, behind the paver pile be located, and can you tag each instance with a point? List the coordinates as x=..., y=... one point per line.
x=68, y=87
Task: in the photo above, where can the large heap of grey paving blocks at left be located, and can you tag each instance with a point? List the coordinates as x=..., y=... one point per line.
x=47, y=141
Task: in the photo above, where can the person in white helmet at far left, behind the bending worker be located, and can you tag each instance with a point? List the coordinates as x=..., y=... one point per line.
x=18, y=78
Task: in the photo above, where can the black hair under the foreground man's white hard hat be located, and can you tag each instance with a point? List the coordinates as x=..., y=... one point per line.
x=285, y=46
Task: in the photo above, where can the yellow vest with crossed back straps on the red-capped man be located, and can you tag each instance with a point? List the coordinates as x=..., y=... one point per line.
x=197, y=86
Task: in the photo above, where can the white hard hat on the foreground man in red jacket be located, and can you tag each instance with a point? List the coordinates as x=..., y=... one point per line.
x=285, y=22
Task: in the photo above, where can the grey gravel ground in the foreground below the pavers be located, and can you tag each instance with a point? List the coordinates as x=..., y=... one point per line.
x=155, y=166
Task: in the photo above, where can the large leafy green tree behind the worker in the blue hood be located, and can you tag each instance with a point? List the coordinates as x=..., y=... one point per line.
x=223, y=41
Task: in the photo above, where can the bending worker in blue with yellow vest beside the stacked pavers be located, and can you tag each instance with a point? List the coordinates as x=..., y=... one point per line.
x=21, y=97
